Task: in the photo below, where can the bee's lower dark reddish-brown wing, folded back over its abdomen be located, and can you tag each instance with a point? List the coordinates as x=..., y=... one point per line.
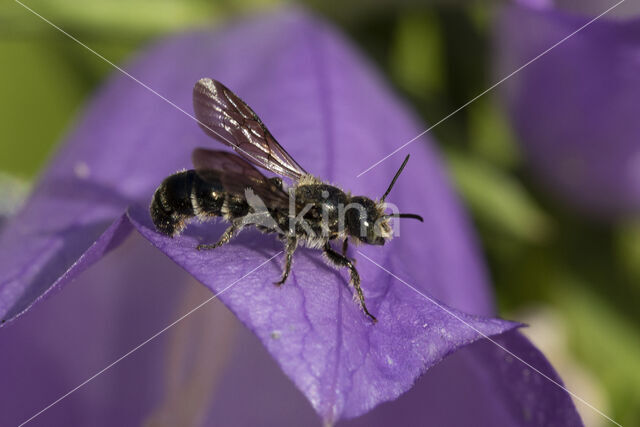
x=236, y=175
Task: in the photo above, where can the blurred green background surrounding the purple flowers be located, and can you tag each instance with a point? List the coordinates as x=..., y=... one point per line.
x=575, y=281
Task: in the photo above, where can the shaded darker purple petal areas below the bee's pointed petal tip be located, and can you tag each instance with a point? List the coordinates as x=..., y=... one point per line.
x=208, y=367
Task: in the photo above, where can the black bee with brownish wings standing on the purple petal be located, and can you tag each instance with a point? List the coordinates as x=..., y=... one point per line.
x=310, y=212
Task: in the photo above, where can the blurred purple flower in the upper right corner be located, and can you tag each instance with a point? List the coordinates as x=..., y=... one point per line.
x=574, y=110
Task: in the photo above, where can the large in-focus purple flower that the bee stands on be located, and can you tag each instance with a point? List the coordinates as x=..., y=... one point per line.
x=335, y=116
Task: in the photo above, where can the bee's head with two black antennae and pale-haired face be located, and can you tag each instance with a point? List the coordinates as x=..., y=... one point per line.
x=366, y=221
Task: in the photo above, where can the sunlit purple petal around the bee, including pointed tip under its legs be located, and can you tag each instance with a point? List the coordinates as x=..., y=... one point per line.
x=336, y=118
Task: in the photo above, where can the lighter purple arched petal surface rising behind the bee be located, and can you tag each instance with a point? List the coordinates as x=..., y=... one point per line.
x=129, y=140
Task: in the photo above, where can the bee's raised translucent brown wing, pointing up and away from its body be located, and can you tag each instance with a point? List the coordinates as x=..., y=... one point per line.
x=227, y=118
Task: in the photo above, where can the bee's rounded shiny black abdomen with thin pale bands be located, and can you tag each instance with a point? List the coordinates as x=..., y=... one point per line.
x=181, y=196
